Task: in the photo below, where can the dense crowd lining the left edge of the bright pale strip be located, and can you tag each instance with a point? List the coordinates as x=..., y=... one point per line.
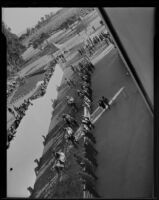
x=19, y=112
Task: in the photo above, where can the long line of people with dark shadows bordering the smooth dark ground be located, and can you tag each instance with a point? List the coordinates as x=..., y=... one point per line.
x=89, y=163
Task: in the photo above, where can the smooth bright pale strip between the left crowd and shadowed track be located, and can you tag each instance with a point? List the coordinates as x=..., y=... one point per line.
x=27, y=145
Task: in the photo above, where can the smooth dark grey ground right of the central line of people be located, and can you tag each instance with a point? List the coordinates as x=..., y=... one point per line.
x=124, y=134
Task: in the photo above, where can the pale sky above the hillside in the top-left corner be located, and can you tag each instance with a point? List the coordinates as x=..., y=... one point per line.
x=19, y=19
